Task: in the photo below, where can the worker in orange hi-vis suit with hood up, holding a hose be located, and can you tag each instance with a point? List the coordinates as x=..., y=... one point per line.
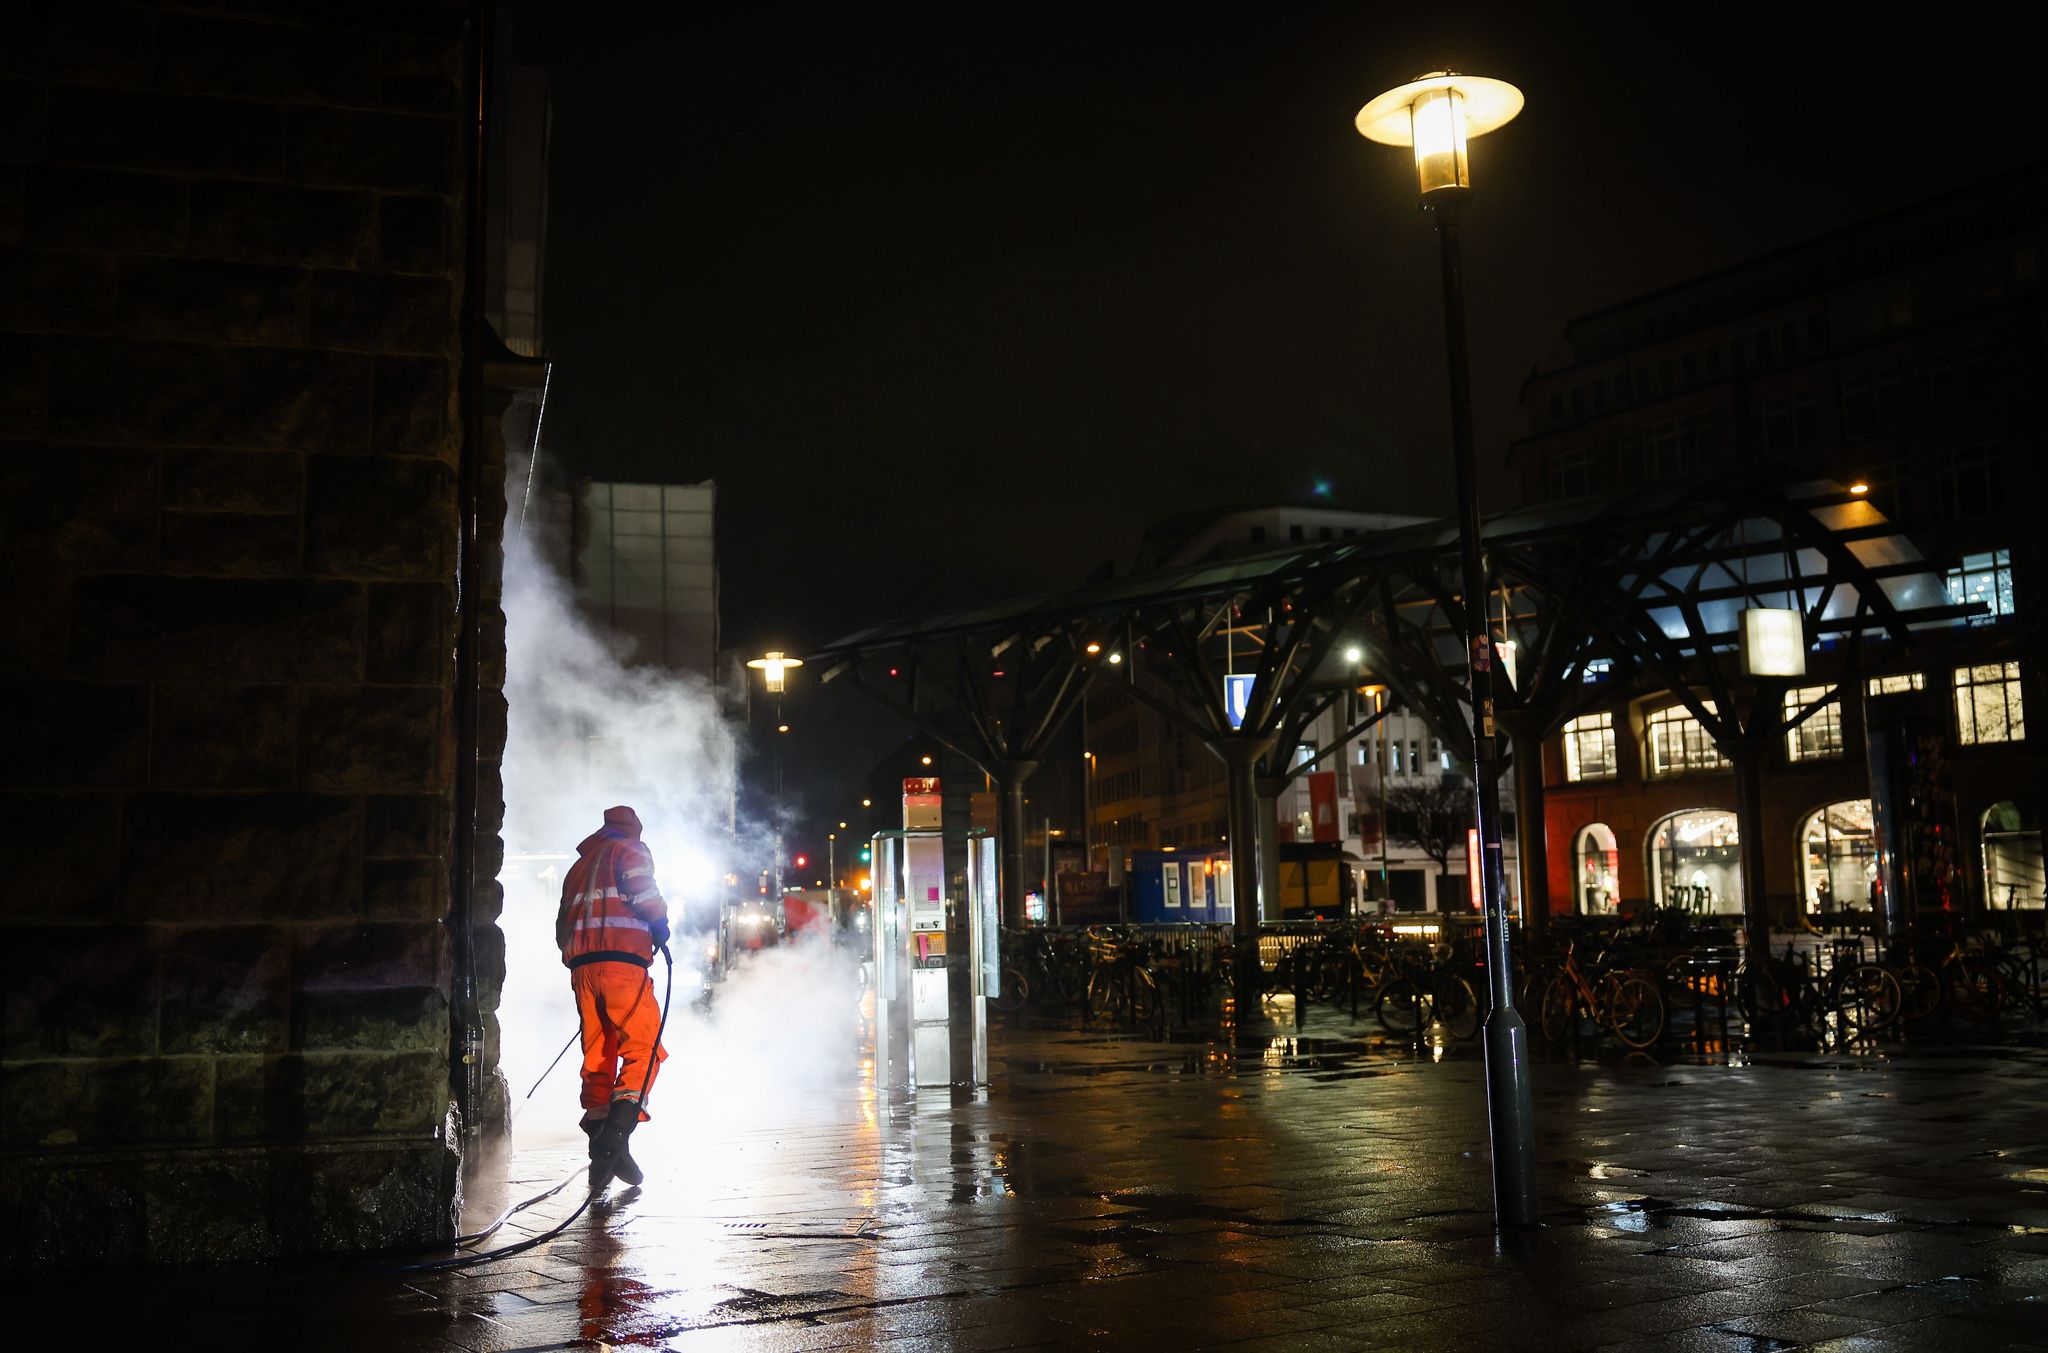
x=609, y=928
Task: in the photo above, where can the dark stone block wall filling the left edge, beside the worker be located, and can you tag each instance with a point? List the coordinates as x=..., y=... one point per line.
x=230, y=435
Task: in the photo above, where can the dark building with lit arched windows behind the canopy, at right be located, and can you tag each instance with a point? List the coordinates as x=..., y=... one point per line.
x=1904, y=355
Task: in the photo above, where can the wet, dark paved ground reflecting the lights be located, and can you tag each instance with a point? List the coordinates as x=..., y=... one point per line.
x=1316, y=1192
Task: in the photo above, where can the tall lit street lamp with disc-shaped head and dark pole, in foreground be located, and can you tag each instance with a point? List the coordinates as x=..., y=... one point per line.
x=1437, y=116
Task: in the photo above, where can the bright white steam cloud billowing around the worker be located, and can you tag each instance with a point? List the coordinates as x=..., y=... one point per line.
x=587, y=730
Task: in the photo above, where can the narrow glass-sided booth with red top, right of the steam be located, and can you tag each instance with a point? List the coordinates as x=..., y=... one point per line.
x=914, y=961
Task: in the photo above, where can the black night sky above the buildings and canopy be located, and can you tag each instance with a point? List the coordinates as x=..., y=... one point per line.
x=955, y=300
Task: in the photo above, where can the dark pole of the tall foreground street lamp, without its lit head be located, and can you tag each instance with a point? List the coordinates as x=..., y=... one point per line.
x=1508, y=1047
